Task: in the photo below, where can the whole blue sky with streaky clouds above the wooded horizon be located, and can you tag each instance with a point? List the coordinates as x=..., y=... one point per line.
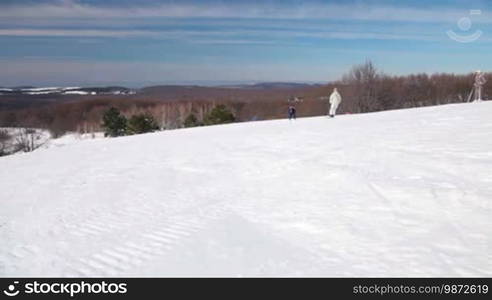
x=137, y=43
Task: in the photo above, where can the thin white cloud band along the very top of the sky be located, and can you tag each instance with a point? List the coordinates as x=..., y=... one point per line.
x=70, y=9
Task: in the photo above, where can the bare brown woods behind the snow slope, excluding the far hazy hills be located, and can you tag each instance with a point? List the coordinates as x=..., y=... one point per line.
x=364, y=88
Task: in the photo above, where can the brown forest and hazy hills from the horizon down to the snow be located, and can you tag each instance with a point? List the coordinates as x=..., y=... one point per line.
x=364, y=89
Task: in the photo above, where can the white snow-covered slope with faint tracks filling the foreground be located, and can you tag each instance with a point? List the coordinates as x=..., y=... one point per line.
x=398, y=193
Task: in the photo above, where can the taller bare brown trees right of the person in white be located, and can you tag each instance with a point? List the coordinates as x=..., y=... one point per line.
x=367, y=89
